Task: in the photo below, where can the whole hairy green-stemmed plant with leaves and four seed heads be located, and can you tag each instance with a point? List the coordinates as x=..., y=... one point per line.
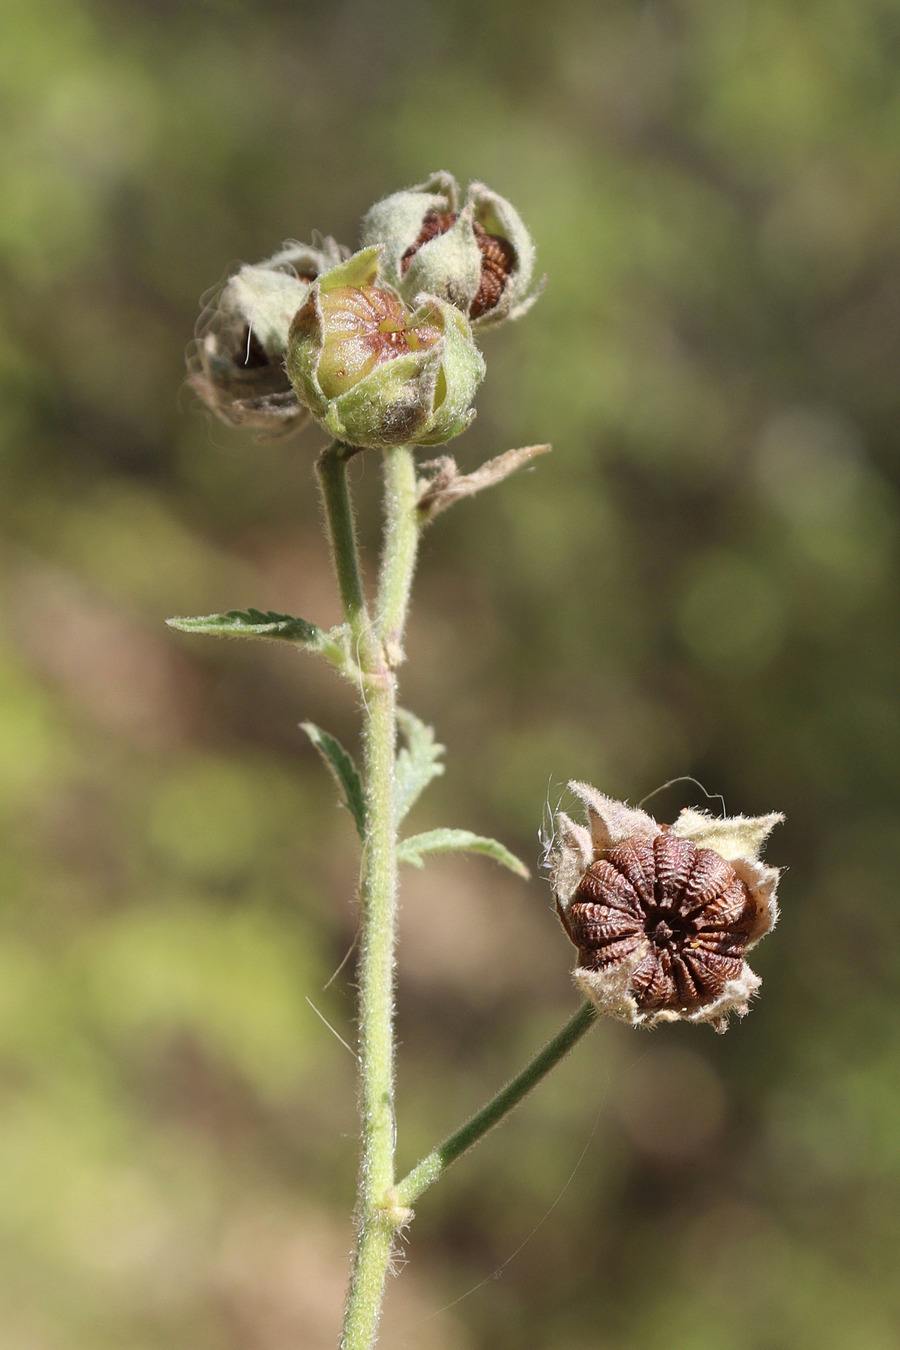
x=378, y=348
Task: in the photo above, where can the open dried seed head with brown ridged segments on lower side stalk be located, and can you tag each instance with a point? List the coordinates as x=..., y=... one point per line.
x=662, y=916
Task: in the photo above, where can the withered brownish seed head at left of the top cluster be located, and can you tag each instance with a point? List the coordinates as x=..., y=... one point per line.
x=237, y=362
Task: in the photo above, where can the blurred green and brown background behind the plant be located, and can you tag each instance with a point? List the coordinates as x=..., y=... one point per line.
x=700, y=581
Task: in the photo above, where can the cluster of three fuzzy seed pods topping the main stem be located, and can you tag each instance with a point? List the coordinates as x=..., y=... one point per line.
x=377, y=346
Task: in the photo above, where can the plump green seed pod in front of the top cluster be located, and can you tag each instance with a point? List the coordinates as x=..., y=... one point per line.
x=376, y=373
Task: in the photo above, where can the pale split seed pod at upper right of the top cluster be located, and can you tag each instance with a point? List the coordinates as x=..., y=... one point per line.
x=480, y=257
